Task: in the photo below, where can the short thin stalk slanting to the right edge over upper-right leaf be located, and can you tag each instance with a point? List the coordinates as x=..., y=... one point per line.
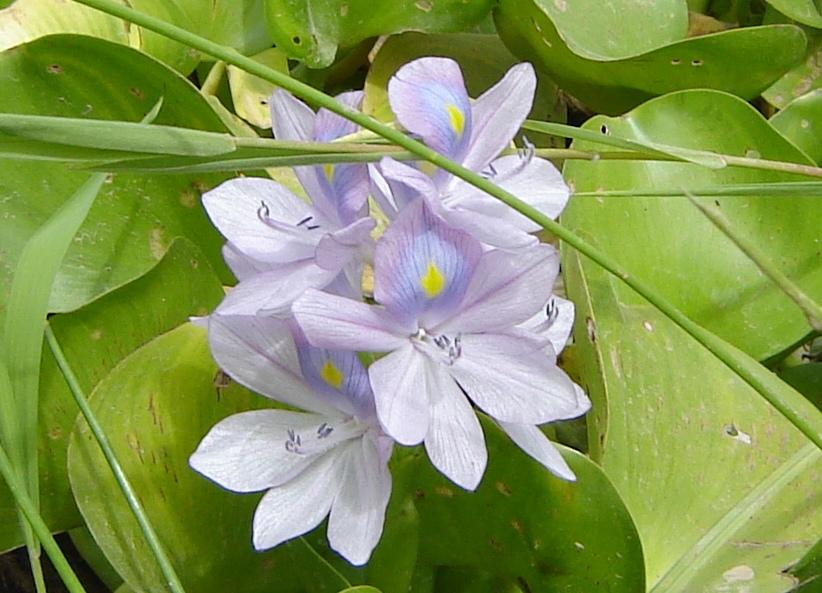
x=811, y=309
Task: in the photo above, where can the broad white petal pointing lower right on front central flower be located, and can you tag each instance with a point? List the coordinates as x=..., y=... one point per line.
x=512, y=382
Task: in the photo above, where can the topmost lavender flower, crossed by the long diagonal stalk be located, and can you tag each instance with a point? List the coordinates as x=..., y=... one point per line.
x=429, y=99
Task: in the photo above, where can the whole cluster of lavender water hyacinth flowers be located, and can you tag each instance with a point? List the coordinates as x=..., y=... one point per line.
x=462, y=317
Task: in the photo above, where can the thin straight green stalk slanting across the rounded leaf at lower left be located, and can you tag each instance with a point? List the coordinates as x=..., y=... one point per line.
x=108, y=452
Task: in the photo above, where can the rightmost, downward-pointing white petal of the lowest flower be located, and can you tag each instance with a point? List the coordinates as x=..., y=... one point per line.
x=358, y=513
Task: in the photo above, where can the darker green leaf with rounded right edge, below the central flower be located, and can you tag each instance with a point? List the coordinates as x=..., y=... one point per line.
x=523, y=526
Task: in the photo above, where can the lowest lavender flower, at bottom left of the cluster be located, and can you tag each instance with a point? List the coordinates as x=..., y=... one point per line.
x=330, y=461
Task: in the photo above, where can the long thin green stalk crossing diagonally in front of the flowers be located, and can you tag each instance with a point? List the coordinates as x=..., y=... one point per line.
x=794, y=407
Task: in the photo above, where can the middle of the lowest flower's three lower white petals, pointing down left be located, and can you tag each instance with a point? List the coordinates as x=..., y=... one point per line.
x=300, y=505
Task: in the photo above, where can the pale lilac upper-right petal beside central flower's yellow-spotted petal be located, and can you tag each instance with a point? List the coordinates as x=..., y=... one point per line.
x=507, y=288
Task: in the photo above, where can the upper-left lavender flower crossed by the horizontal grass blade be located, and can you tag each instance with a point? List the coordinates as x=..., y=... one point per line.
x=279, y=245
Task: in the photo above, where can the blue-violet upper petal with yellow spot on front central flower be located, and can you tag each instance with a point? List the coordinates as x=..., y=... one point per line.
x=422, y=266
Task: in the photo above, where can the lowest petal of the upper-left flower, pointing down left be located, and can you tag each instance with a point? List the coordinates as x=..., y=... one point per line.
x=274, y=291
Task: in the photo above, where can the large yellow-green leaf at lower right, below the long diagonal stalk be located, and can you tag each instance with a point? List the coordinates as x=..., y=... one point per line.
x=692, y=449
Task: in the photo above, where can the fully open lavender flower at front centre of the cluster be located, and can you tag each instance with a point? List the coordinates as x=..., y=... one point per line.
x=449, y=319
